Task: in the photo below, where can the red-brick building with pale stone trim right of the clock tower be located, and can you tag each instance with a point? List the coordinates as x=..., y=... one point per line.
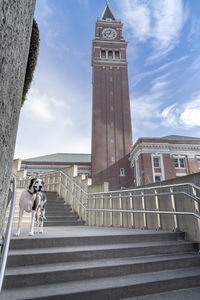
x=157, y=159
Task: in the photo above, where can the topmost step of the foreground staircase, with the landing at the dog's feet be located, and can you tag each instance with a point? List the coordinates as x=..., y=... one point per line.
x=93, y=236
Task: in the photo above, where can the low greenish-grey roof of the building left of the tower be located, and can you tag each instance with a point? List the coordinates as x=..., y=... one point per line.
x=62, y=157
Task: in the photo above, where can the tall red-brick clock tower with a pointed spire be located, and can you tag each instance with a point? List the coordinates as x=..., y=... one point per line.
x=111, y=120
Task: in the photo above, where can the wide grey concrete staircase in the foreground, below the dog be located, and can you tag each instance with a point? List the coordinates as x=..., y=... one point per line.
x=83, y=262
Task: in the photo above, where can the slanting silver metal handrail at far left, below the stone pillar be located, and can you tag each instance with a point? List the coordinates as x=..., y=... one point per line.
x=6, y=244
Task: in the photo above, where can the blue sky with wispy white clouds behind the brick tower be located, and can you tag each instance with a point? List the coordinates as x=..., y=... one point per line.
x=163, y=66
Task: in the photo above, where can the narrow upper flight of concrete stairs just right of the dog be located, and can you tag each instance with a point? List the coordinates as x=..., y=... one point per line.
x=58, y=213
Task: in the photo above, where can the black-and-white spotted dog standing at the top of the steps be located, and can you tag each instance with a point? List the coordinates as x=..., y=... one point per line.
x=33, y=200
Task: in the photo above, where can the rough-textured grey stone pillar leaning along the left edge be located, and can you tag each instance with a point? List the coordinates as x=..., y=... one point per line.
x=16, y=19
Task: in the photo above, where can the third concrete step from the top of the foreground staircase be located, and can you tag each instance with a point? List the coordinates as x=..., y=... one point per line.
x=65, y=272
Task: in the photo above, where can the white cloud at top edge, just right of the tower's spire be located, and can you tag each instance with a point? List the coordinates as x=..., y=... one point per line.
x=158, y=21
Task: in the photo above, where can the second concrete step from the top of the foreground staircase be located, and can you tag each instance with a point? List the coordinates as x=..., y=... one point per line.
x=25, y=257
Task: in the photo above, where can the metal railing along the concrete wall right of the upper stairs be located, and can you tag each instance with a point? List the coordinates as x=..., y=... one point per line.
x=170, y=207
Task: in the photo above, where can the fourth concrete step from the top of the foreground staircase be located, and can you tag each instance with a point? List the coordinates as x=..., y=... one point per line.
x=117, y=287
